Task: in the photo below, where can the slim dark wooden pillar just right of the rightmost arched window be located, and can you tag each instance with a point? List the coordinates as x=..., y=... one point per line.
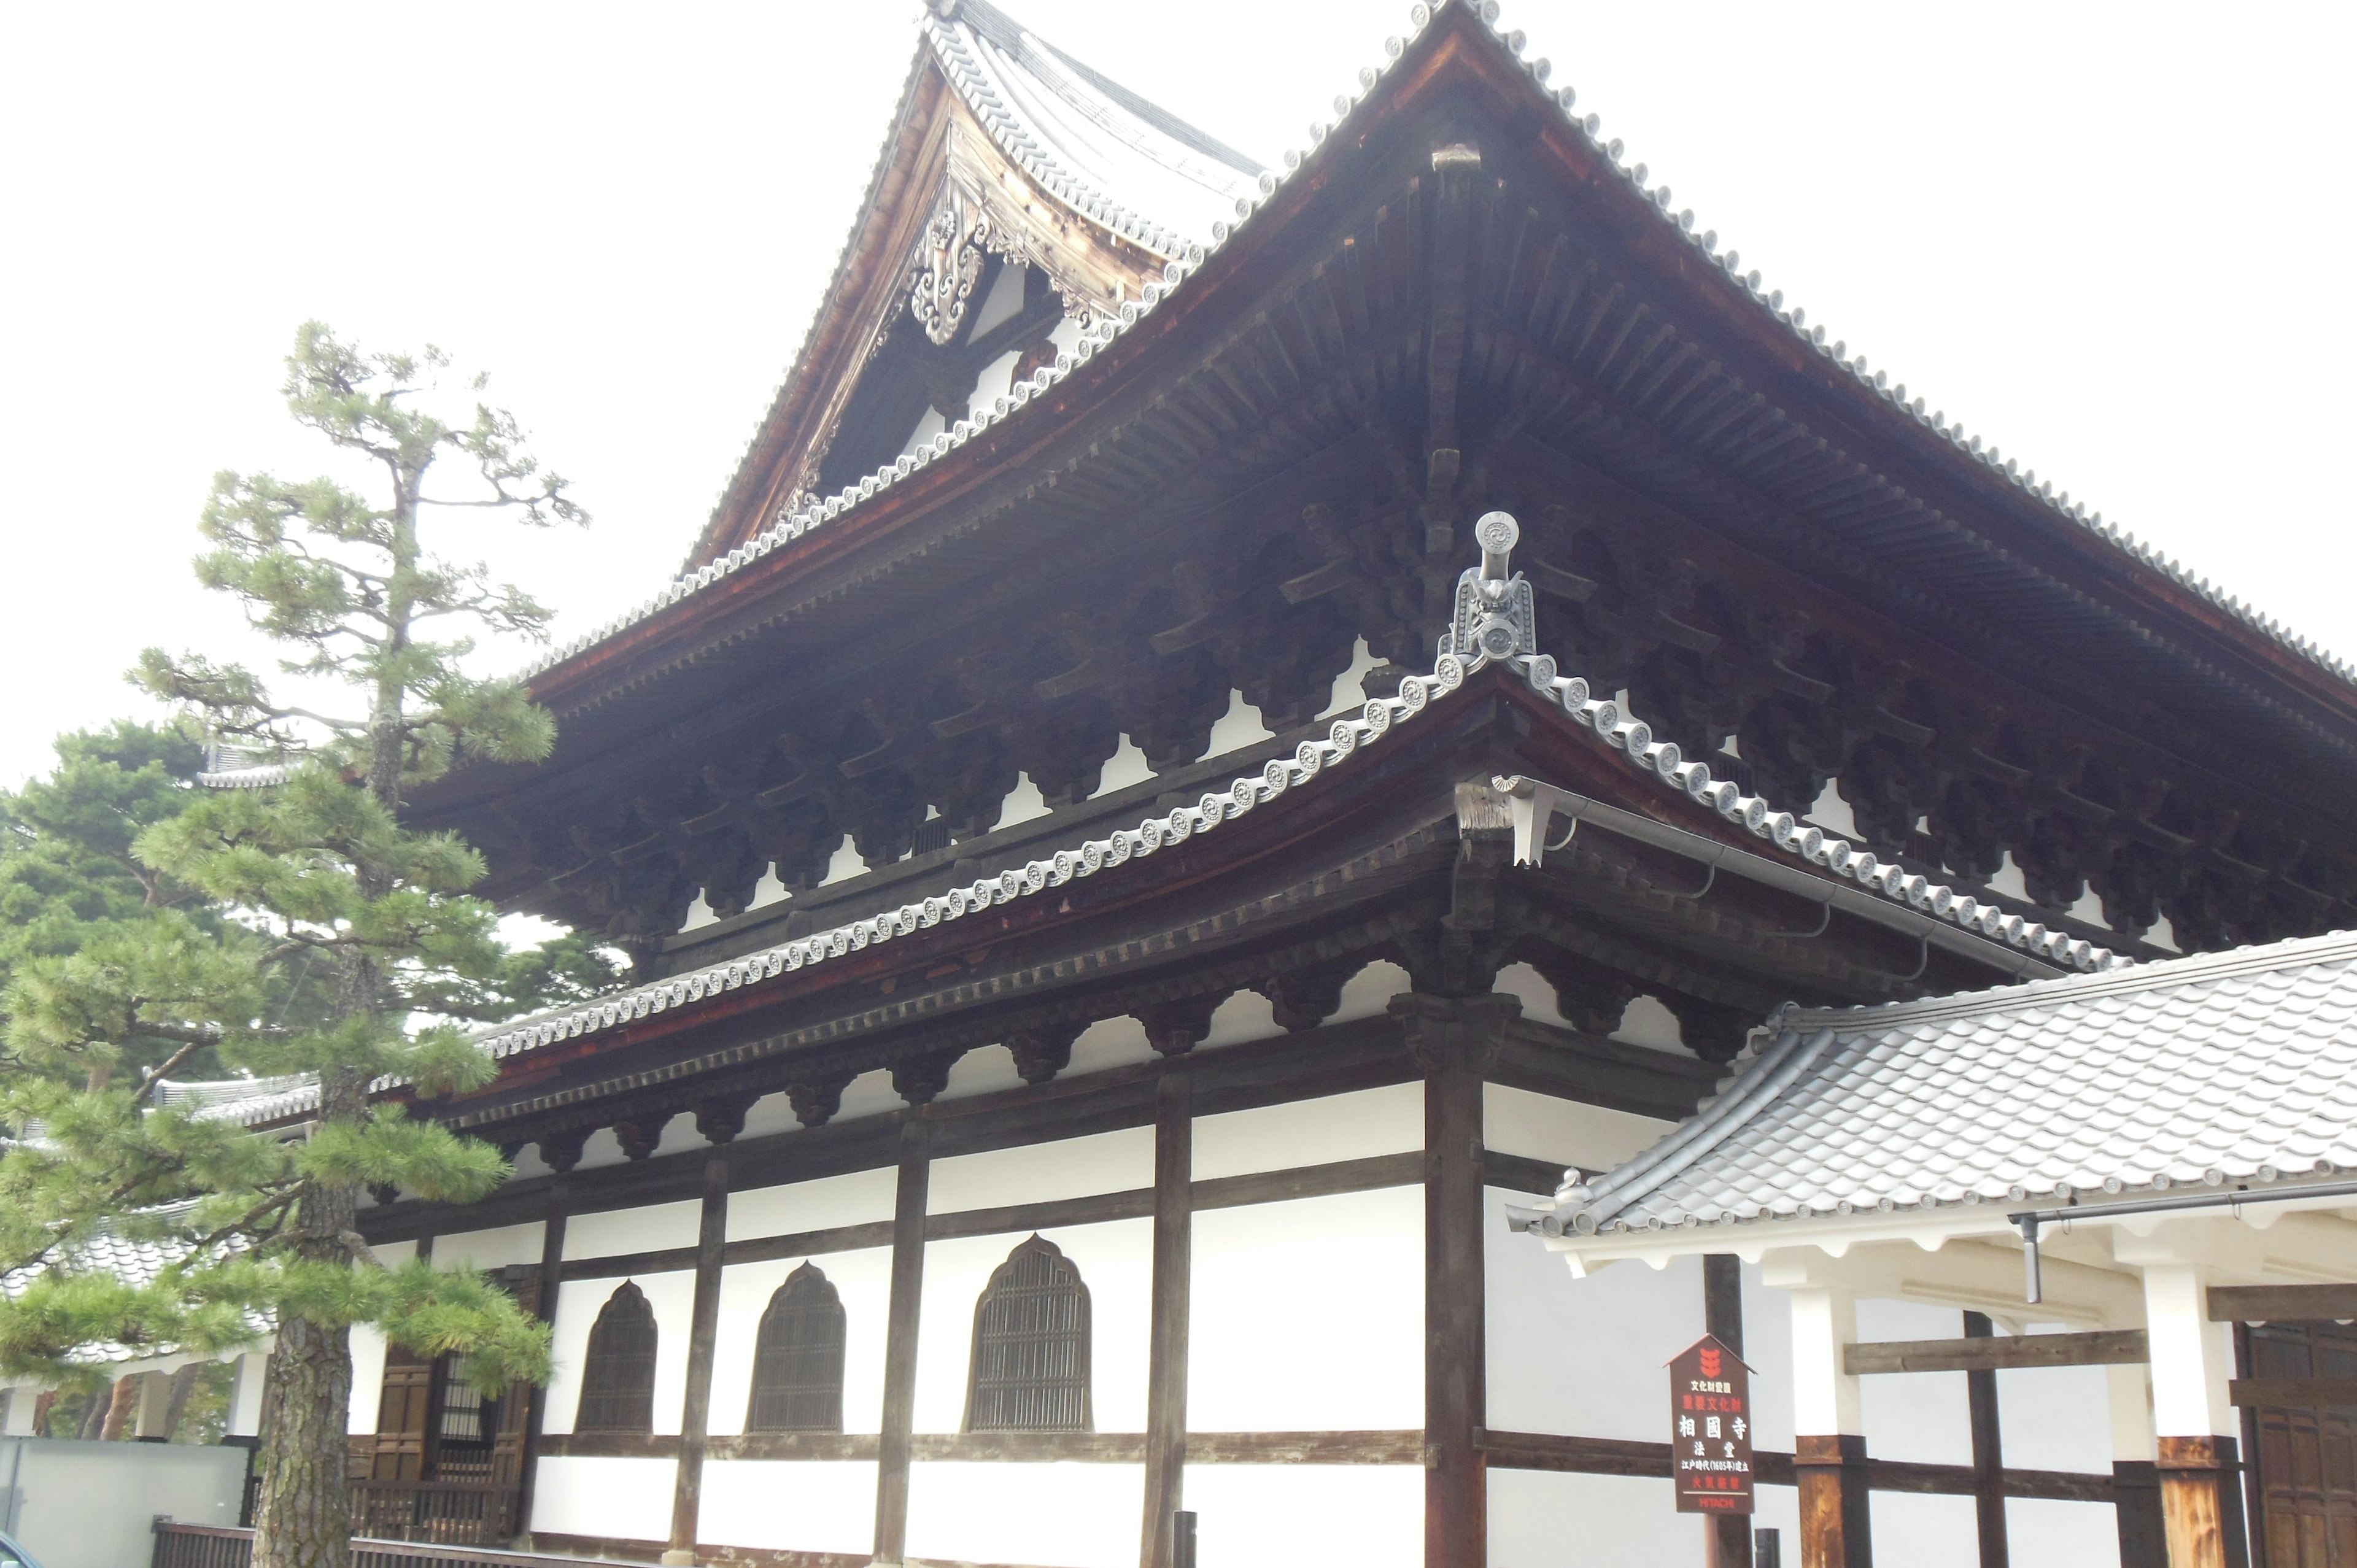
x=1168, y=1336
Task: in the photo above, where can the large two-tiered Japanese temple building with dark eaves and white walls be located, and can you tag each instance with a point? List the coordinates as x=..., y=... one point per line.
x=1243, y=746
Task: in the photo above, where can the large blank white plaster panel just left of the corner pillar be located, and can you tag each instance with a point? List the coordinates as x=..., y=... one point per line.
x=1309, y=1315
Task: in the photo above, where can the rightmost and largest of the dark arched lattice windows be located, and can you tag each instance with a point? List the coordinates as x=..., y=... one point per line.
x=1031, y=1345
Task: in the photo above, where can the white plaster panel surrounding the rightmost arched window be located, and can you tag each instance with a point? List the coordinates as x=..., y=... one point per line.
x=1116, y=1263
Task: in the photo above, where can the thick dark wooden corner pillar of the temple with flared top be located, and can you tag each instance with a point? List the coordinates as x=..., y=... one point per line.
x=1455, y=1041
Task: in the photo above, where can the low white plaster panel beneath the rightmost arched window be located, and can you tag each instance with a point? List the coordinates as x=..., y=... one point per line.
x=1036, y=1515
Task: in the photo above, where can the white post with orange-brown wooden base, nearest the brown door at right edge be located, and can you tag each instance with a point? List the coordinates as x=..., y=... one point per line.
x=2198, y=1458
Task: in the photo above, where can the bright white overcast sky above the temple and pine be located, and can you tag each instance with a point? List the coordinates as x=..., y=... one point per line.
x=2106, y=237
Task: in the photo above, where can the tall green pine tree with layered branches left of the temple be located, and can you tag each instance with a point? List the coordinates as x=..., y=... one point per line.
x=317, y=878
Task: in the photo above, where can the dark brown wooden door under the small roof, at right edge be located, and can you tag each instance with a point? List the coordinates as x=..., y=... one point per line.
x=2306, y=1451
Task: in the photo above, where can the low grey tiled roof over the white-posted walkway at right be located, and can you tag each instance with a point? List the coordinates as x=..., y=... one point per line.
x=2205, y=1072
